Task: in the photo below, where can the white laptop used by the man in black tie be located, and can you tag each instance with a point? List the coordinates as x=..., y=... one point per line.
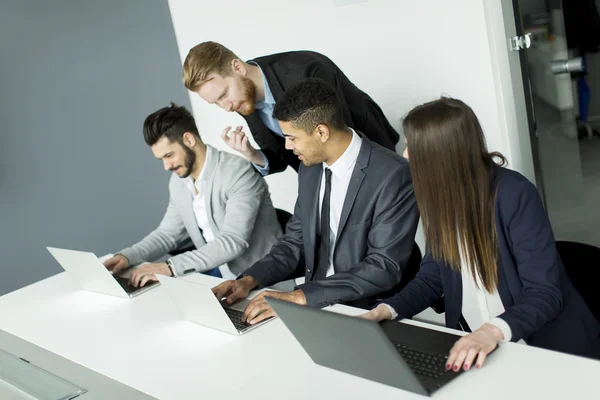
x=198, y=304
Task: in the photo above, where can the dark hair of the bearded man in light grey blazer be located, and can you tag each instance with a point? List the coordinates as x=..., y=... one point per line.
x=171, y=122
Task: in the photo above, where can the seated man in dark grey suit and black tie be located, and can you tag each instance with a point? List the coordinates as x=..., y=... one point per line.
x=355, y=219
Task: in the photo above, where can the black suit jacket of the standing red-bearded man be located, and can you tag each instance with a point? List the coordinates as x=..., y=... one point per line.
x=285, y=69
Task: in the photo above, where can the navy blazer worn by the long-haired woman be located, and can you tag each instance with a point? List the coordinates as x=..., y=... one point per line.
x=542, y=305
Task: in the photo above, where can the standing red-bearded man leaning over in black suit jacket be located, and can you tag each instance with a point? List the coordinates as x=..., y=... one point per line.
x=253, y=88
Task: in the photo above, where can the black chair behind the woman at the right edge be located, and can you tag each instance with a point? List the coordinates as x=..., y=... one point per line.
x=582, y=265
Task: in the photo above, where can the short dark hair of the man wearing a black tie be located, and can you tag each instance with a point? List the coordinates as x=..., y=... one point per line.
x=309, y=103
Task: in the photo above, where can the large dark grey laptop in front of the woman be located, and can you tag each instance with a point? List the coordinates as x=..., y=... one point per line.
x=405, y=356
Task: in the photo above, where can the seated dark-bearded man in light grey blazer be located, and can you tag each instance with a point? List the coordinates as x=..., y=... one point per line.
x=217, y=201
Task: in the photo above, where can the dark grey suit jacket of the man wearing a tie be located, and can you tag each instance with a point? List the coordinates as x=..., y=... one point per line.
x=374, y=239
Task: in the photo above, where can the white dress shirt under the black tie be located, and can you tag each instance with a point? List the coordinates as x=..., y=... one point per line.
x=341, y=172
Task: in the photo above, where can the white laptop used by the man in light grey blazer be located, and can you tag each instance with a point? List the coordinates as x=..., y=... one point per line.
x=92, y=275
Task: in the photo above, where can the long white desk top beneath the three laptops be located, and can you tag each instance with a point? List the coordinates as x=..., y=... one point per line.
x=145, y=344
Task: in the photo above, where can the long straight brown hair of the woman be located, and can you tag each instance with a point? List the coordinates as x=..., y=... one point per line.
x=451, y=170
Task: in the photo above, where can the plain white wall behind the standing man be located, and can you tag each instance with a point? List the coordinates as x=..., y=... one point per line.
x=400, y=52
